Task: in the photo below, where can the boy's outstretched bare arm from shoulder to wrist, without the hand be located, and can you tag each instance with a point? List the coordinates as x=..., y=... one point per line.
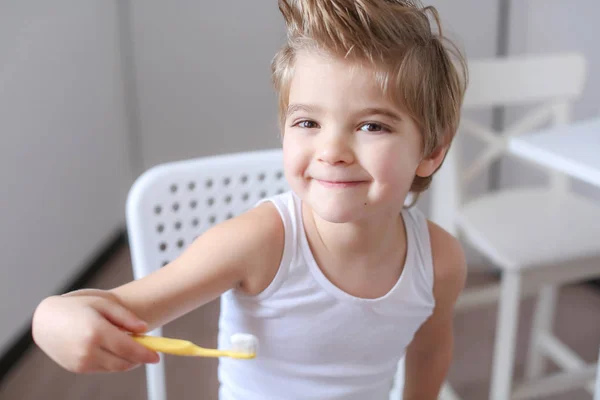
x=242, y=253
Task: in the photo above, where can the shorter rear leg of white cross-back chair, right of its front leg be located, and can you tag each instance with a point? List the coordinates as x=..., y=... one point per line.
x=543, y=321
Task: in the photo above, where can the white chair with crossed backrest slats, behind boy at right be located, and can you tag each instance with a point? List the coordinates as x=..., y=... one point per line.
x=533, y=234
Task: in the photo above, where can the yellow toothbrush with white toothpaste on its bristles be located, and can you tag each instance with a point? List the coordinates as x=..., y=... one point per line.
x=244, y=346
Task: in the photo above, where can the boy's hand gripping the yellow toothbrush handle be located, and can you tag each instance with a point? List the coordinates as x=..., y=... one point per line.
x=88, y=333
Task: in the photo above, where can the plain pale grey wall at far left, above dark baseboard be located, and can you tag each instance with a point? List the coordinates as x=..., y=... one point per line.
x=63, y=158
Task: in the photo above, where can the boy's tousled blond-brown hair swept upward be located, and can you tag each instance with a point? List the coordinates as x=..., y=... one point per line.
x=413, y=63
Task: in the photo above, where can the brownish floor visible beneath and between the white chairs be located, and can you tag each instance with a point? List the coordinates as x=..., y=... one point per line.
x=37, y=377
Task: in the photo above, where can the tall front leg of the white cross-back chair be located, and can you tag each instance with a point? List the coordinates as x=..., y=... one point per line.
x=506, y=335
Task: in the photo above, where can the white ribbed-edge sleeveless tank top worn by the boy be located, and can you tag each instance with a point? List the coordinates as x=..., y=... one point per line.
x=317, y=341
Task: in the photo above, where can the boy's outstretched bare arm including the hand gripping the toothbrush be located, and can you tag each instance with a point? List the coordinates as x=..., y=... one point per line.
x=86, y=331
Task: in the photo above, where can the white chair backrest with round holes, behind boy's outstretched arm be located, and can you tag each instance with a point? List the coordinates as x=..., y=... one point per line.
x=171, y=204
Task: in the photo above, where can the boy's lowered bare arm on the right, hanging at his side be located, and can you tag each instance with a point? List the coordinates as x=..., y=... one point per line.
x=429, y=355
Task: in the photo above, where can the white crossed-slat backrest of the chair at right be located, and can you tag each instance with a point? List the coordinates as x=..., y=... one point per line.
x=551, y=82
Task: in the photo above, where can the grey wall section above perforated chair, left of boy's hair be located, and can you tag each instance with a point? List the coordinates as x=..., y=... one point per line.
x=203, y=77
